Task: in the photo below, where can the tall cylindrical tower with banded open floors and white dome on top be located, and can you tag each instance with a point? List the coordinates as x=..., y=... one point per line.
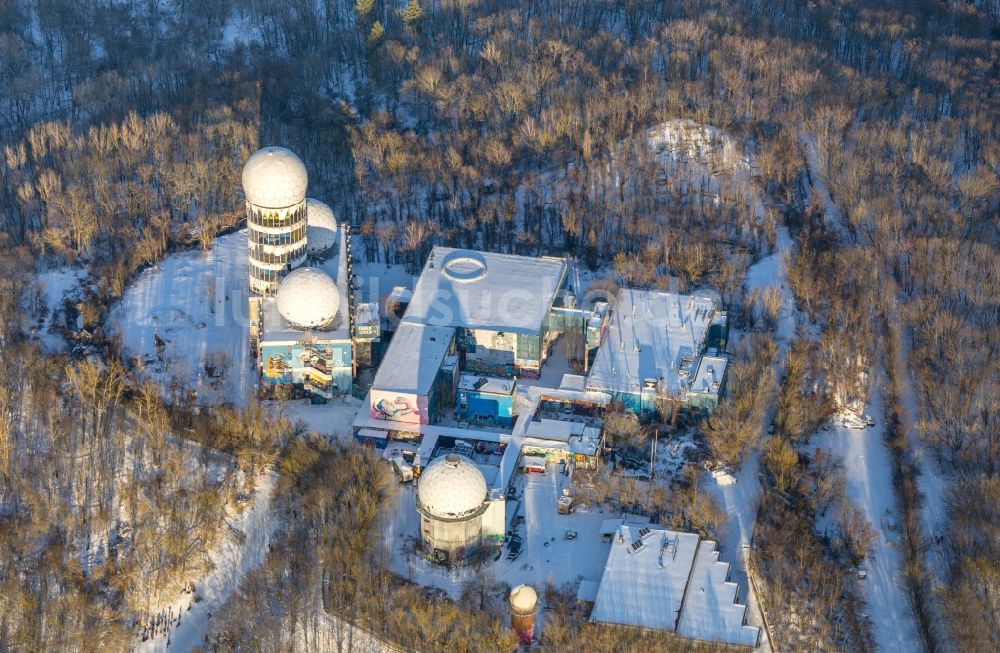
x=274, y=182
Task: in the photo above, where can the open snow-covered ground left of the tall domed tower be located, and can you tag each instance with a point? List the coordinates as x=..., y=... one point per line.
x=196, y=303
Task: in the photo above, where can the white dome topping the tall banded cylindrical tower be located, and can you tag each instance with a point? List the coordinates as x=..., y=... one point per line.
x=274, y=178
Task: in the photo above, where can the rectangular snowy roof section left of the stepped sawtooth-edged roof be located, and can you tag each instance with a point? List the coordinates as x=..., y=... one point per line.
x=645, y=576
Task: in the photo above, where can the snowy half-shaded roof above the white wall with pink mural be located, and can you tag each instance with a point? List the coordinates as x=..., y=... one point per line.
x=413, y=359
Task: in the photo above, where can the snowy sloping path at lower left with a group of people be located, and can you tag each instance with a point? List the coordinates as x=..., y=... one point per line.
x=237, y=553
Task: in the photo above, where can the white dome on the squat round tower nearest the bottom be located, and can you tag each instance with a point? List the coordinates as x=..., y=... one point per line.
x=451, y=487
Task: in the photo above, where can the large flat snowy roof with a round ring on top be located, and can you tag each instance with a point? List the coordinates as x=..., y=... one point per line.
x=484, y=290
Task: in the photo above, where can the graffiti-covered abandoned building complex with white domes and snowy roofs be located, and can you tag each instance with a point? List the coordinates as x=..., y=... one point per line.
x=464, y=404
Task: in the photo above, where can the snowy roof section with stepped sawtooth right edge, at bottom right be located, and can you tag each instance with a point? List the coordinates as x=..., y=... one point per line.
x=710, y=610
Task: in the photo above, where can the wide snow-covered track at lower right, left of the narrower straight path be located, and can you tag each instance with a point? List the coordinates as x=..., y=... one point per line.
x=868, y=468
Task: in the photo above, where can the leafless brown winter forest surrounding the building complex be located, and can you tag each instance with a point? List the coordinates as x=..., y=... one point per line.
x=516, y=126
